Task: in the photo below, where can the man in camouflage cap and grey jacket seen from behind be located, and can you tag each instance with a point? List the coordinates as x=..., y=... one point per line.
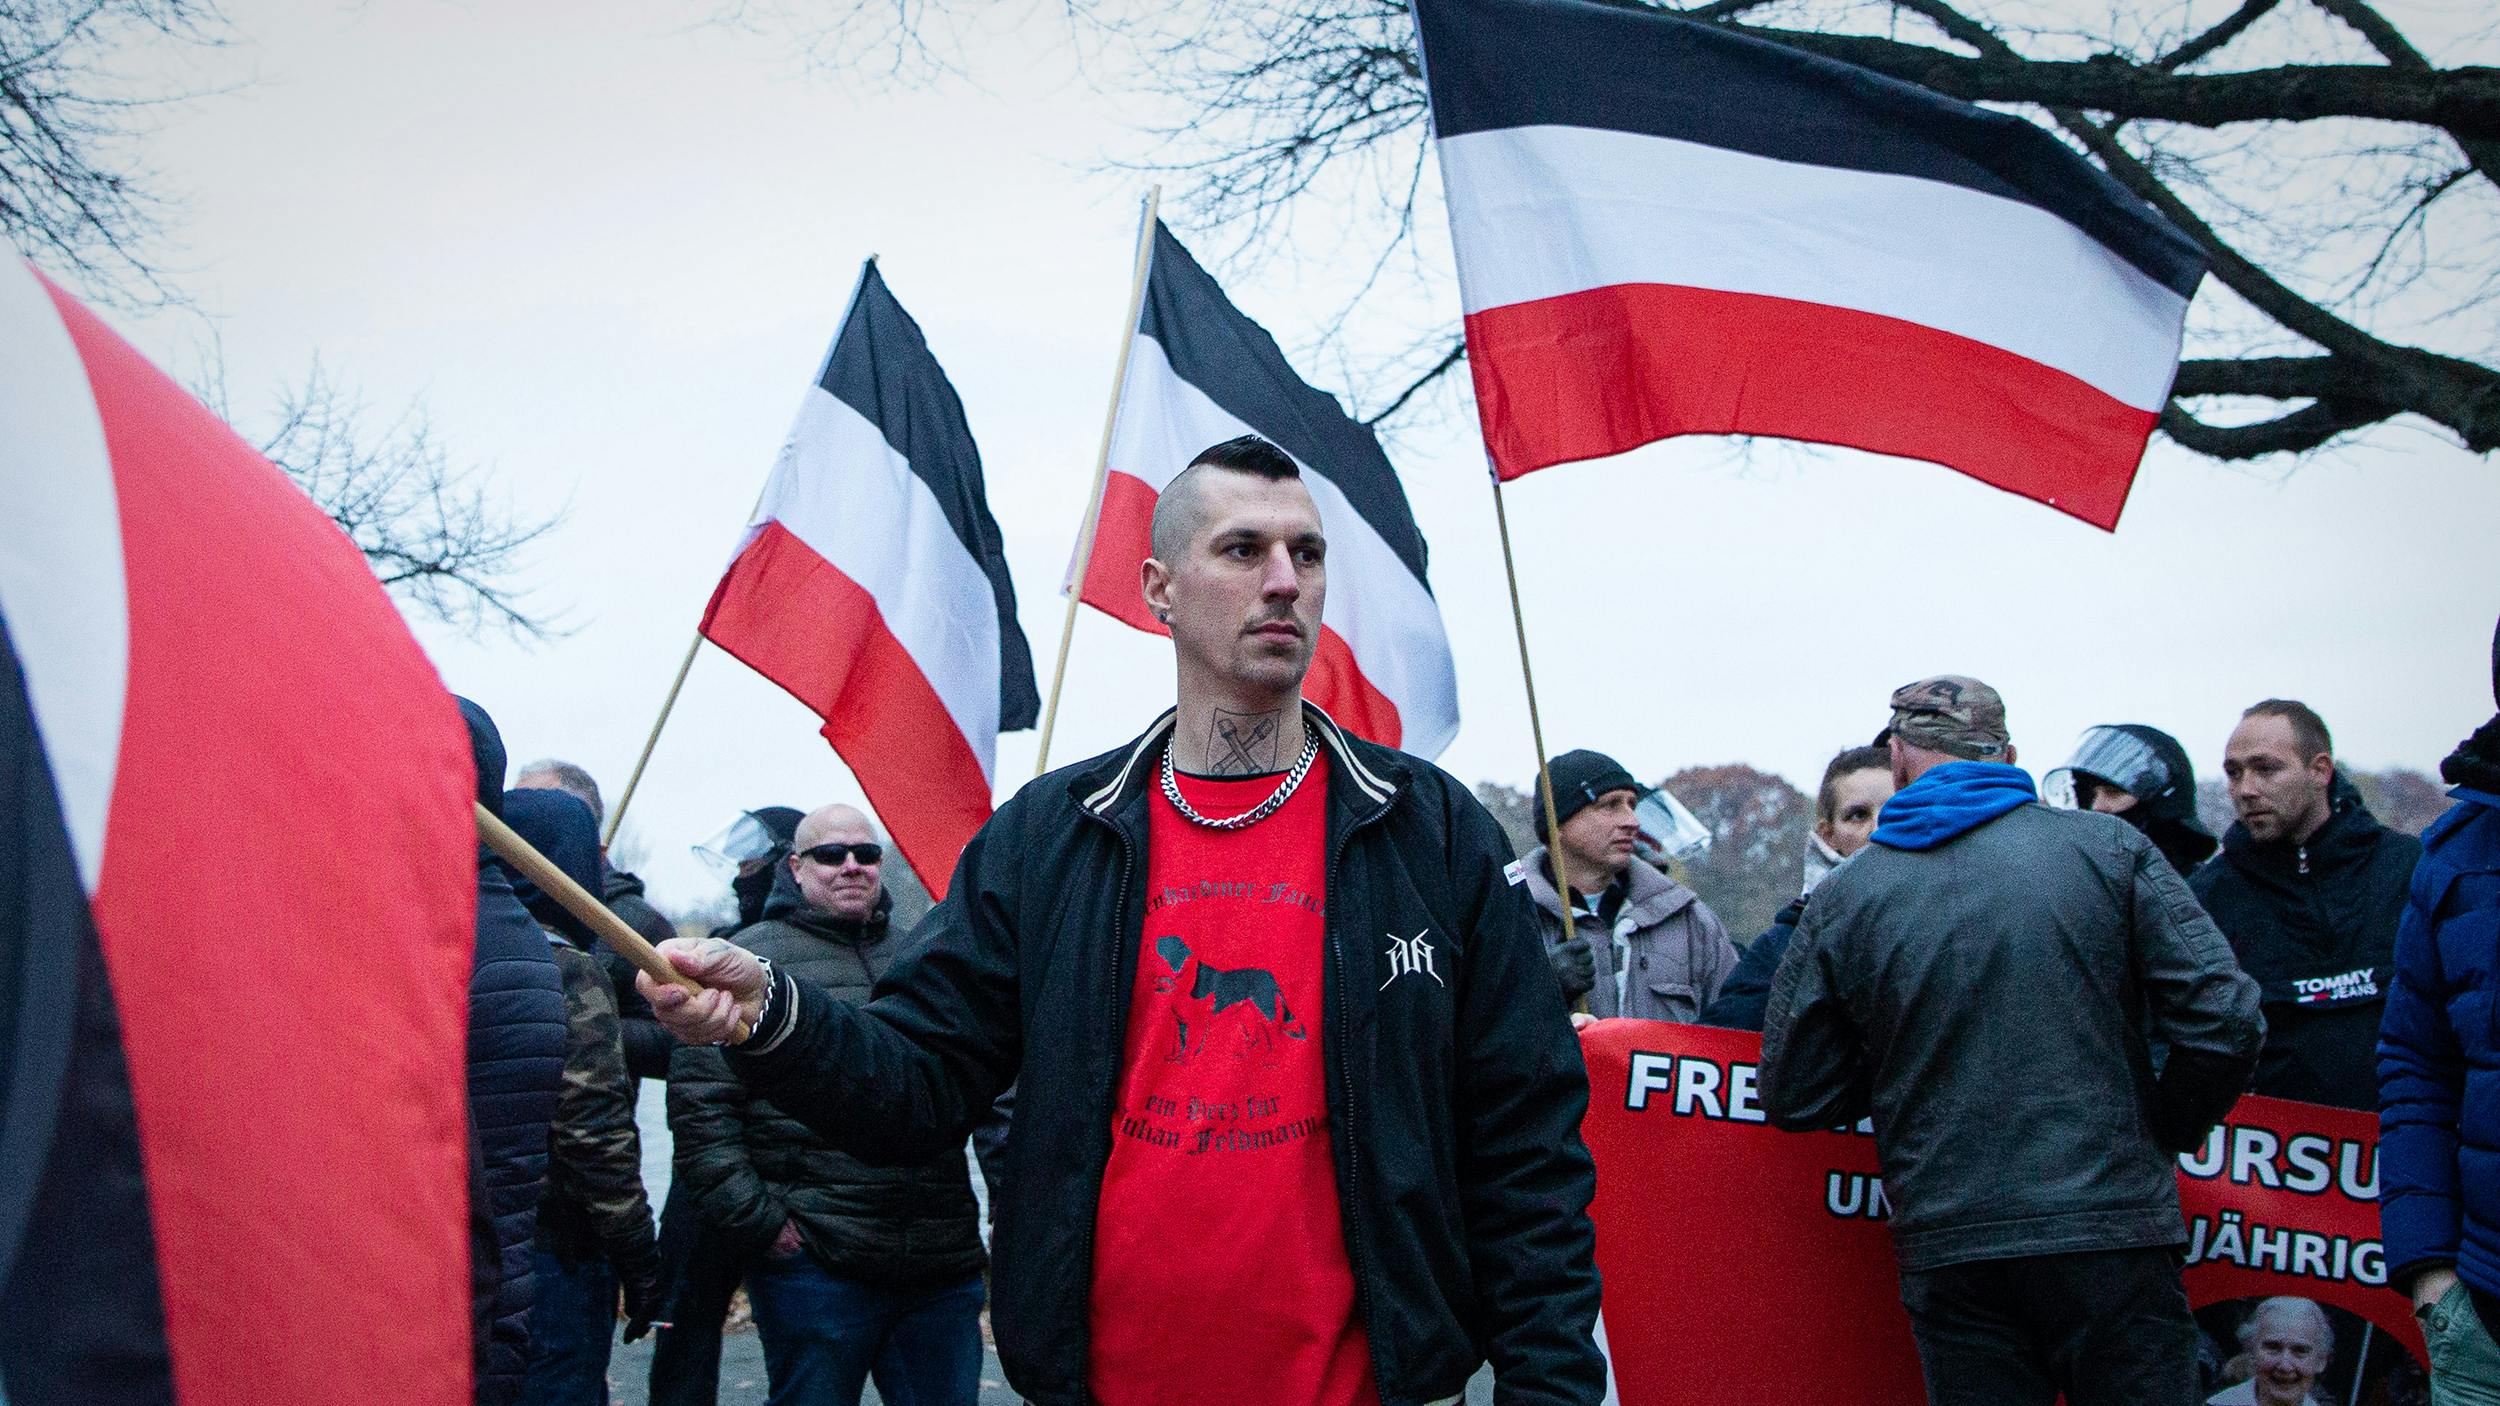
x=1989, y=979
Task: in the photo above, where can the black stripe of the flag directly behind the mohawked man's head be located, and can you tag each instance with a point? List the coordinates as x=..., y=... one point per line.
x=1239, y=367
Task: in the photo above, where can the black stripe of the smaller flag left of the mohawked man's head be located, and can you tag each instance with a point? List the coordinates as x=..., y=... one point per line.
x=881, y=367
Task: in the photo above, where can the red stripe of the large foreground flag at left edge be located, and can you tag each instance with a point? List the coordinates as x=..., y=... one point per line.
x=289, y=914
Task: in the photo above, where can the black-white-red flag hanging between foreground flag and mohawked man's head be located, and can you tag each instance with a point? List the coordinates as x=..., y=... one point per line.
x=874, y=587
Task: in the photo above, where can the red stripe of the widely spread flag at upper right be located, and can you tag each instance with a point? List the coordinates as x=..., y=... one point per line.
x=1611, y=369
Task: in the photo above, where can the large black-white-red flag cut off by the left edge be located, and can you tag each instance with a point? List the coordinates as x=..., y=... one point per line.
x=236, y=917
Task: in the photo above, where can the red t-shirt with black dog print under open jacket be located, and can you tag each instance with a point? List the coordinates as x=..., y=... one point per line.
x=1219, y=1255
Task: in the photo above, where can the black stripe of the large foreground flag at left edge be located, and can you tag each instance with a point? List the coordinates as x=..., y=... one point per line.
x=81, y=1312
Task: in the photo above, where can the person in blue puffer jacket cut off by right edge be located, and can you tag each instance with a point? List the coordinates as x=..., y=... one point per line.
x=2439, y=1077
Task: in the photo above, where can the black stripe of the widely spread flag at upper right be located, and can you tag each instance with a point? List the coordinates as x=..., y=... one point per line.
x=1584, y=64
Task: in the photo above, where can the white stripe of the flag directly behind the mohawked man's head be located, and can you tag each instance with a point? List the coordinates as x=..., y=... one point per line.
x=1374, y=602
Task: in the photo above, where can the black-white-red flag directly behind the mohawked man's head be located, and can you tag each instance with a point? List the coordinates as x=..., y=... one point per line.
x=1204, y=374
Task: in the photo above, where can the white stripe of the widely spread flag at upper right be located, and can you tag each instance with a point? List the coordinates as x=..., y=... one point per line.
x=1549, y=211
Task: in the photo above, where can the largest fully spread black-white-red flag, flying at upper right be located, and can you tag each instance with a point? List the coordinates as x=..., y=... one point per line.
x=1669, y=229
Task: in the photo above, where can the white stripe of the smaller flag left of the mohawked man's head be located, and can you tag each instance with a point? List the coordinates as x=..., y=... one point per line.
x=844, y=492
